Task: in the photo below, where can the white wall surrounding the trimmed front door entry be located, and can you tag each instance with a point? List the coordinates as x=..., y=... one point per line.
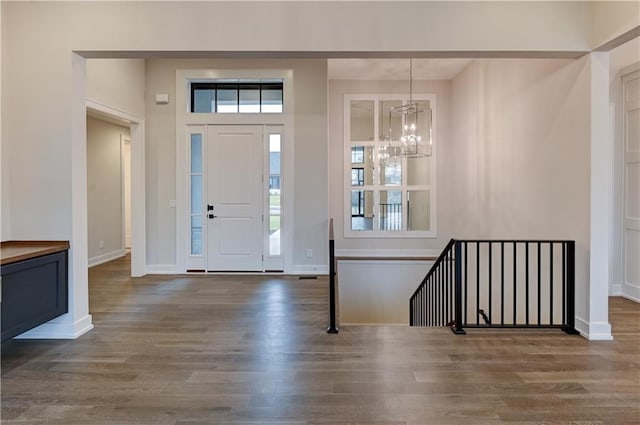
x=310, y=151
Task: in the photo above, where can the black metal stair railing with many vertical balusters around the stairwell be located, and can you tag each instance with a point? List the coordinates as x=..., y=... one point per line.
x=499, y=284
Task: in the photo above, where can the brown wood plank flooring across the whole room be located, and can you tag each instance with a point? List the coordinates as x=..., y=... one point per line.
x=194, y=350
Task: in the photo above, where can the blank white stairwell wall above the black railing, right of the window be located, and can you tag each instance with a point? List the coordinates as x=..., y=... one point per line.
x=522, y=149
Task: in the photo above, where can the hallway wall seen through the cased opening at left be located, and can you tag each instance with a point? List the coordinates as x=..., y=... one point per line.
x=104, y=190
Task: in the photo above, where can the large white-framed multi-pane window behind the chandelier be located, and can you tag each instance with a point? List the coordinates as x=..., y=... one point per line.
x=386, y=195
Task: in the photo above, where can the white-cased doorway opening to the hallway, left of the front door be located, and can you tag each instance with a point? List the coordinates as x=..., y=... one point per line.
x=116, y=179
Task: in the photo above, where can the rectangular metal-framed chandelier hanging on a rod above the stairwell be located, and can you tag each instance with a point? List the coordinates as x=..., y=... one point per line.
x=413, y=139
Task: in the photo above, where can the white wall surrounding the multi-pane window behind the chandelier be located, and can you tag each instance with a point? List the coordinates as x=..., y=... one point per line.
x=444, y=178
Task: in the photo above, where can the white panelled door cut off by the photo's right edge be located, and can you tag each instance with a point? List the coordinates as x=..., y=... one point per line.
x=631, y=204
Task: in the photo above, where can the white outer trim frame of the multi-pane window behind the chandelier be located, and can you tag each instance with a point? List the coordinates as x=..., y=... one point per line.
x=347, y=143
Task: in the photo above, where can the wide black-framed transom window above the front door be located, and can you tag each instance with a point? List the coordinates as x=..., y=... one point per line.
x=237, y=96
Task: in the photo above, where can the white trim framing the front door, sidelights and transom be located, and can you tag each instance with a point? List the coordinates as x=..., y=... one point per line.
x=185, y=117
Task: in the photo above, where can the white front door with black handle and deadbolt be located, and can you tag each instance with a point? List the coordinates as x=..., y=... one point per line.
x=234, y=197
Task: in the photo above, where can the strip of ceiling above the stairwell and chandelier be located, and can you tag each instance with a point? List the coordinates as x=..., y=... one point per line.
x=395, y=69
